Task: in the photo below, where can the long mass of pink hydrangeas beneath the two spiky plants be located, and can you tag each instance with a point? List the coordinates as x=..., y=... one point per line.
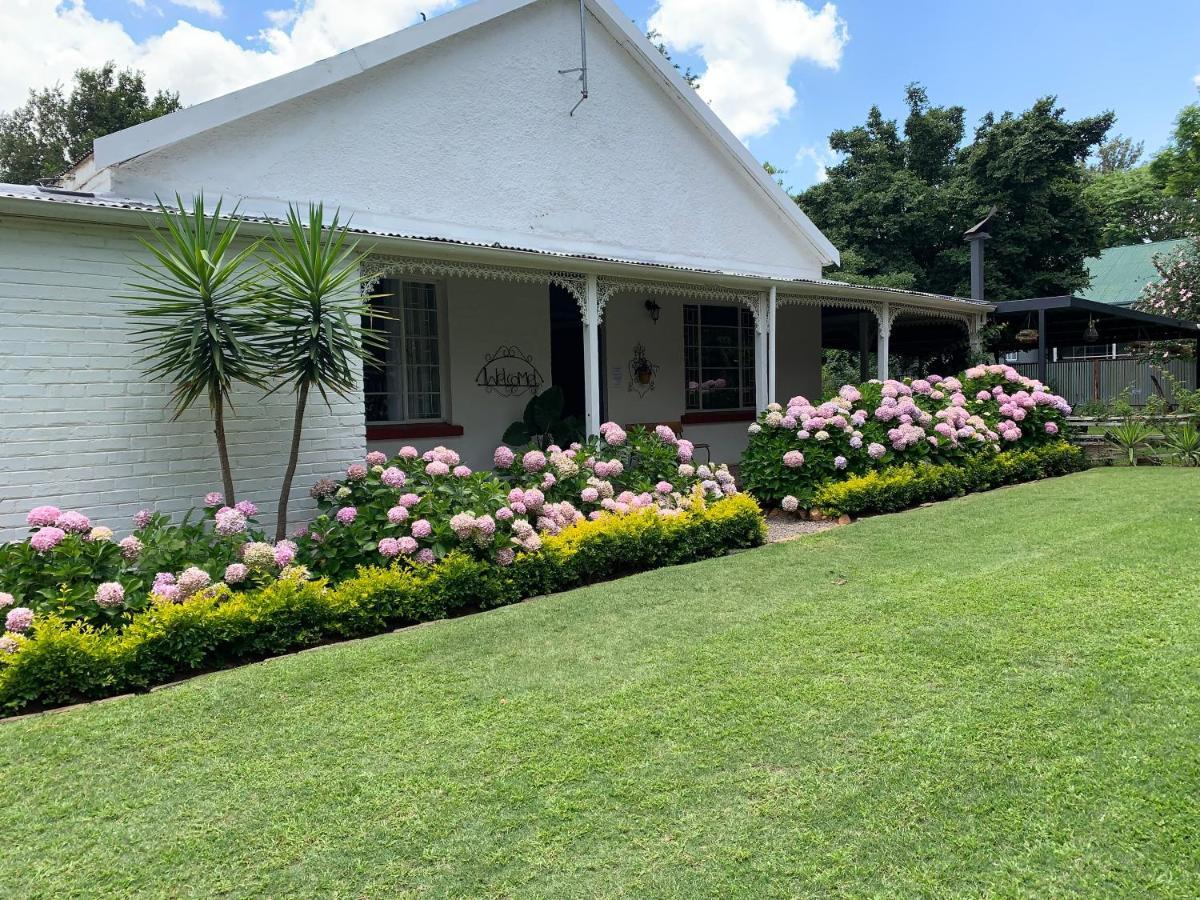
x=409, y=512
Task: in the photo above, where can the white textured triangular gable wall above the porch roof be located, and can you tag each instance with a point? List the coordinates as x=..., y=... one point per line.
x=471, y=139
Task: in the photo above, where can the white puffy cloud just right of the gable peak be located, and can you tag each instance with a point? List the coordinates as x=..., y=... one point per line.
x=749, y=49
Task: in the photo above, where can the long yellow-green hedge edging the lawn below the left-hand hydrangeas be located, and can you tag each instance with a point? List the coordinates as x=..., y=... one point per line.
x=68, y=663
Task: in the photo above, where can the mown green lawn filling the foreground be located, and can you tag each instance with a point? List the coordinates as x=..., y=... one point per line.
x=994, y=697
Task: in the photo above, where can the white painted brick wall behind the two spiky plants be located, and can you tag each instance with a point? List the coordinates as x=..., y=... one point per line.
x=81, y=428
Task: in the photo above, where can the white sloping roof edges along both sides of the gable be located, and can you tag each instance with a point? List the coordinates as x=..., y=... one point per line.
x=130, y=143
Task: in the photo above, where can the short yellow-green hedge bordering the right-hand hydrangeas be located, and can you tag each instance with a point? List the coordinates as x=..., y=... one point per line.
x=905, y=487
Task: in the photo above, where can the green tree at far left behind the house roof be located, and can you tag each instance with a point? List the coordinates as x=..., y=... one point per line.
x=52, y=130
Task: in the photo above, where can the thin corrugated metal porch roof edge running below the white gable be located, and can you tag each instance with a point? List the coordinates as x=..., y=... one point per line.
x=77, y=199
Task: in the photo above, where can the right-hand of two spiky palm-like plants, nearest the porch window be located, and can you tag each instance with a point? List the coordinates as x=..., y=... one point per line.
x=316, y=308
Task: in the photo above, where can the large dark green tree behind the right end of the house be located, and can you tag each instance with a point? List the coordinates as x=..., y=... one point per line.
x=898, y=202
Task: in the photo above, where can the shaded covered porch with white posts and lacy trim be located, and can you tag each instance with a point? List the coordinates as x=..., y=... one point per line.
x=473, y=340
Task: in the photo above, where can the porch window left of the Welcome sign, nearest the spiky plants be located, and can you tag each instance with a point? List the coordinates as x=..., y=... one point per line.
x=404, y=381
